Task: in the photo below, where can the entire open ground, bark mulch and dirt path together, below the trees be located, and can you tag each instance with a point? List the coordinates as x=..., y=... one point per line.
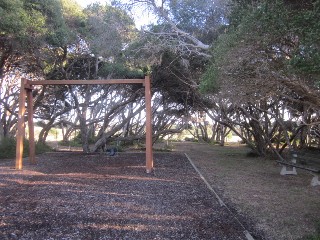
x=72, y=195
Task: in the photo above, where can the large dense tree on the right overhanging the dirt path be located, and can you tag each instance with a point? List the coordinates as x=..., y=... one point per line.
x=254, y=63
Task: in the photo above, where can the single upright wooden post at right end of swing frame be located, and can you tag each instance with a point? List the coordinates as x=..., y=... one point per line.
x=149, y=155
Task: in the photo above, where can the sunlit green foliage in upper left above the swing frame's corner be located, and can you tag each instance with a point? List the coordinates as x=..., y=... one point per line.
x=31, y=31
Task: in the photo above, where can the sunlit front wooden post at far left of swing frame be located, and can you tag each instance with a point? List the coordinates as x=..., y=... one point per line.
x=21, y=125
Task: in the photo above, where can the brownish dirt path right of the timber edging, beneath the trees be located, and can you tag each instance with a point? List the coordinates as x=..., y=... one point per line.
x=283, y=207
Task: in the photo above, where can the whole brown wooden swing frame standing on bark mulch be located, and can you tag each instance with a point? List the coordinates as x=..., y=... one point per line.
x=26, y=92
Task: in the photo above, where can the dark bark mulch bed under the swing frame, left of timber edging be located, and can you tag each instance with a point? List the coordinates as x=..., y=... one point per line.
x=79, y=196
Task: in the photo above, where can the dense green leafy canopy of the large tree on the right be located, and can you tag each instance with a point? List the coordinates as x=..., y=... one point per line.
x=283, y=33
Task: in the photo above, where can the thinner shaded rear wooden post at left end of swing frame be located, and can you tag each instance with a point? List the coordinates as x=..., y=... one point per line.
x=32, y=150
